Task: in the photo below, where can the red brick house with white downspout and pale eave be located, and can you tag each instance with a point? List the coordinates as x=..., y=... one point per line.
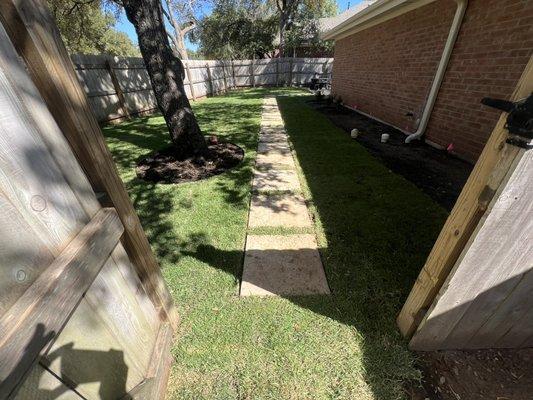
x=424, y=65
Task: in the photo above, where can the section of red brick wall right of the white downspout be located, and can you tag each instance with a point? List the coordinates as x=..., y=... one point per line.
x=492, y=50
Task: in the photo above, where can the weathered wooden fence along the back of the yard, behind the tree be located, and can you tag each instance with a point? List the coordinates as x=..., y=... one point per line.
x=120, y=86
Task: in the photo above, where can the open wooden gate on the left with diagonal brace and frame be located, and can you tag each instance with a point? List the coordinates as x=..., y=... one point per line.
x=80, y=316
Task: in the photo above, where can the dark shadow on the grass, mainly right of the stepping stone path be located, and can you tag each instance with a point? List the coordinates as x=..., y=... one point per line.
x=378, y=230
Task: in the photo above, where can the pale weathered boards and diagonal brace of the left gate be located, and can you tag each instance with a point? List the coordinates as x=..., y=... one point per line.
x=75, y=303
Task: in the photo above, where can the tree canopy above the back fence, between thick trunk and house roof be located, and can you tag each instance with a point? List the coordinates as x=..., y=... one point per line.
x=259, y=28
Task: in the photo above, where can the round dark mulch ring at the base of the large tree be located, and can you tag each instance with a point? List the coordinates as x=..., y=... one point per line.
x=163, y=165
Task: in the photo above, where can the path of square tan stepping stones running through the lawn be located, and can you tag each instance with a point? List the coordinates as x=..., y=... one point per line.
x=283, y=265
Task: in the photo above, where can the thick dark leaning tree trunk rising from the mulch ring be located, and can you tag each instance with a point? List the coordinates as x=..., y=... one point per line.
x=166, y=74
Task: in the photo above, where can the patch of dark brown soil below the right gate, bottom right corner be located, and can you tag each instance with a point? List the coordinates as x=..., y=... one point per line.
x=503, y=374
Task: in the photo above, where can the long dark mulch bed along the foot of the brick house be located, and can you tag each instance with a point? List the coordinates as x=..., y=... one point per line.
x=436, y=172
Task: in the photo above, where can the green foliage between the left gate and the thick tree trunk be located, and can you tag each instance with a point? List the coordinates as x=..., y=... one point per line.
x=88, y=28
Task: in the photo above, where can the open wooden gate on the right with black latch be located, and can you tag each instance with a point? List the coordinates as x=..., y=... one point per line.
x=482, y=263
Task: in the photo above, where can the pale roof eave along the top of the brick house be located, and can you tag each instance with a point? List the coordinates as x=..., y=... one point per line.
x=374, y=14
